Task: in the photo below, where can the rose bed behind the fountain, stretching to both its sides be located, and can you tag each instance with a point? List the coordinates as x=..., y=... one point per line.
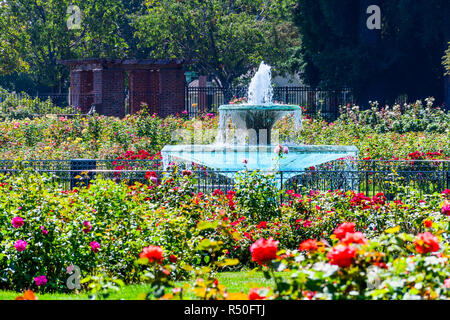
x=99, y=137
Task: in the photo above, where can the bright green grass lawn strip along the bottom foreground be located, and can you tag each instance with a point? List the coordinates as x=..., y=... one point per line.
x=233, y=281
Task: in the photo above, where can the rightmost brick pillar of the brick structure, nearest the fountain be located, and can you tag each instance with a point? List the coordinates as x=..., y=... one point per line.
x=172, y=91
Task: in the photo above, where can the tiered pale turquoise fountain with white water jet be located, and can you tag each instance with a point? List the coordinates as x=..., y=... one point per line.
x=245, y=136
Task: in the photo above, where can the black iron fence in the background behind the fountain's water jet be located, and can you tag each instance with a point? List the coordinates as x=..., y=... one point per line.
x=209, y=99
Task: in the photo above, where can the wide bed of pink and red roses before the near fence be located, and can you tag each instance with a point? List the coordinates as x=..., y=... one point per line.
x=103, y=227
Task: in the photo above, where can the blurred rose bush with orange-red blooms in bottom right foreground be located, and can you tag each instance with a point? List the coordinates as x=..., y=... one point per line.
x=390, y=266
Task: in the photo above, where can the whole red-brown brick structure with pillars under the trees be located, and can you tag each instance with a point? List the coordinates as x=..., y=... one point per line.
x=101, y=83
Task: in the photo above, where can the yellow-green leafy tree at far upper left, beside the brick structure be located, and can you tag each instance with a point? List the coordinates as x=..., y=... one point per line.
x=44, y=36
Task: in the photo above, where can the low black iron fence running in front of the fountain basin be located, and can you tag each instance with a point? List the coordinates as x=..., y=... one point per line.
x=363, y=176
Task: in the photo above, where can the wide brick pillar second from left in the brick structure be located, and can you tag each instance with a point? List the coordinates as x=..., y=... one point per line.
x=109, y=89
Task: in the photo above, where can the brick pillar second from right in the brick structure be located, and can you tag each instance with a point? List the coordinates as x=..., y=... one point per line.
x=144, y=88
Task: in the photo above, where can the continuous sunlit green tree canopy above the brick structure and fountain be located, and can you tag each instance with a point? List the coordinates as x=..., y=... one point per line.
x=221, y=38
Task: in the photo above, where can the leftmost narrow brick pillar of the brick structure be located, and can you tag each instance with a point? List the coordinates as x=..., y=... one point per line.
x=81, y=89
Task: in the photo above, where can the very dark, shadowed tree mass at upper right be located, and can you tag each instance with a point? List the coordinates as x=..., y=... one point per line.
x=404, y=57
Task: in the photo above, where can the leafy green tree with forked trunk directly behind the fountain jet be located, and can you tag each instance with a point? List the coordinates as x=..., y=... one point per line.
x=221, y=38
